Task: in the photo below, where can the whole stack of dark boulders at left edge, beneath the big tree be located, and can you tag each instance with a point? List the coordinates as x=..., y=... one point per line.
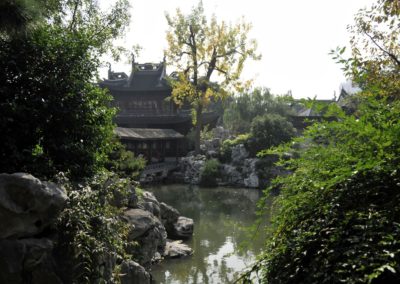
x=27, y=207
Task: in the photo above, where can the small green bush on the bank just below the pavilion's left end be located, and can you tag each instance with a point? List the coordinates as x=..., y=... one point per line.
x=124, y=162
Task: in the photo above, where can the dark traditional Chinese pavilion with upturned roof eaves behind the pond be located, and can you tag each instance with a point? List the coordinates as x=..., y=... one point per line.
x=149, y=123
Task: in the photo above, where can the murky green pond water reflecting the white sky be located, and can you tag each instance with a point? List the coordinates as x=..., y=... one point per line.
x=219, y=215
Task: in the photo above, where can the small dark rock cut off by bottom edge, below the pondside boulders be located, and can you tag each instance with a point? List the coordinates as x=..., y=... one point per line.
x=132, y=272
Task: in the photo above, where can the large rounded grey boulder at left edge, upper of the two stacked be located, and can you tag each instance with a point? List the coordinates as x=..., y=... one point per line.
x=27, y=205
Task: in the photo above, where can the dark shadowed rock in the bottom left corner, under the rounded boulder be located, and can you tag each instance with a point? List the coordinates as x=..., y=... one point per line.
x=27, y=261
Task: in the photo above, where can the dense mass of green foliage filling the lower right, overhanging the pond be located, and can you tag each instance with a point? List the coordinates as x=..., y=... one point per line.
x=337, y=215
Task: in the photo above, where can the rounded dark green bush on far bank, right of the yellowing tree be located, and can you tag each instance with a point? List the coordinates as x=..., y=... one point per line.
x=269, y=130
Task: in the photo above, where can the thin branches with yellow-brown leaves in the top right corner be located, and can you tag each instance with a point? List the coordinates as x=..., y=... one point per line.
x=374, y=64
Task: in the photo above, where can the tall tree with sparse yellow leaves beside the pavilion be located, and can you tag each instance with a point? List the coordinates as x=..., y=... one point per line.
x=206, y=50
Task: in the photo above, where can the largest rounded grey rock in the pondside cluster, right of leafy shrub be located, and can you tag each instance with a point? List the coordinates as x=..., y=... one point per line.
x=148, y=231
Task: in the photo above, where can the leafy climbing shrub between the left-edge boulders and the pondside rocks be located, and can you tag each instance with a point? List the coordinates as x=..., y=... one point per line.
x=90, y=229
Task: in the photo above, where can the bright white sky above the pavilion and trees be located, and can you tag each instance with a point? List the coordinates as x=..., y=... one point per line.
x=294, y=38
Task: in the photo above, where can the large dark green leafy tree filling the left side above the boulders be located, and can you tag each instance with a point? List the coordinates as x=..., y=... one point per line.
x=53, y=116
